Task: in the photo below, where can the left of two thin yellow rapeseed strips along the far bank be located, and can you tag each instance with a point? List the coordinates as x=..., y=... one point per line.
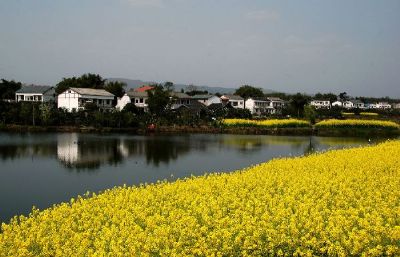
x=273, y=123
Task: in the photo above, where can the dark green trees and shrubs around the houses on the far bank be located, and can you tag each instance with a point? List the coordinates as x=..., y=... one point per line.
x=159, y=102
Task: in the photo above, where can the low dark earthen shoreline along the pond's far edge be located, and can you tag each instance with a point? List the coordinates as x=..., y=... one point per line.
x=333, y=132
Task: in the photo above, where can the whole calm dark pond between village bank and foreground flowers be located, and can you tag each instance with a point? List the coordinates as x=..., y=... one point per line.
x=42, y=169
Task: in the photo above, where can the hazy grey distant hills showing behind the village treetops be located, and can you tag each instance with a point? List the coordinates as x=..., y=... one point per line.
x=135, y=83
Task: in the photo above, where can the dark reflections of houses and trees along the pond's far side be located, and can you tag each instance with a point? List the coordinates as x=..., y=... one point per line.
x=89, y=152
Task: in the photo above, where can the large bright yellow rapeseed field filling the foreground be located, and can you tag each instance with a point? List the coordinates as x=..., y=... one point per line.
x=339, y=203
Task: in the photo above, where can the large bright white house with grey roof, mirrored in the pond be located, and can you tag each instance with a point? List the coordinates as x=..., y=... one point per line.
x=76, y=98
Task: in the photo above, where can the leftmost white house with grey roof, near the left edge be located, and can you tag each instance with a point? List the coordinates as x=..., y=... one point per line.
x=33, y=93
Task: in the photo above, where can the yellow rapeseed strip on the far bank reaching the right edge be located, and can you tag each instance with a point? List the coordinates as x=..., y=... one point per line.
x=350, y=123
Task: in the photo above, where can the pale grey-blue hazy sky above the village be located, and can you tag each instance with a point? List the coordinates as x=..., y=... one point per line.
x=289, y=46
